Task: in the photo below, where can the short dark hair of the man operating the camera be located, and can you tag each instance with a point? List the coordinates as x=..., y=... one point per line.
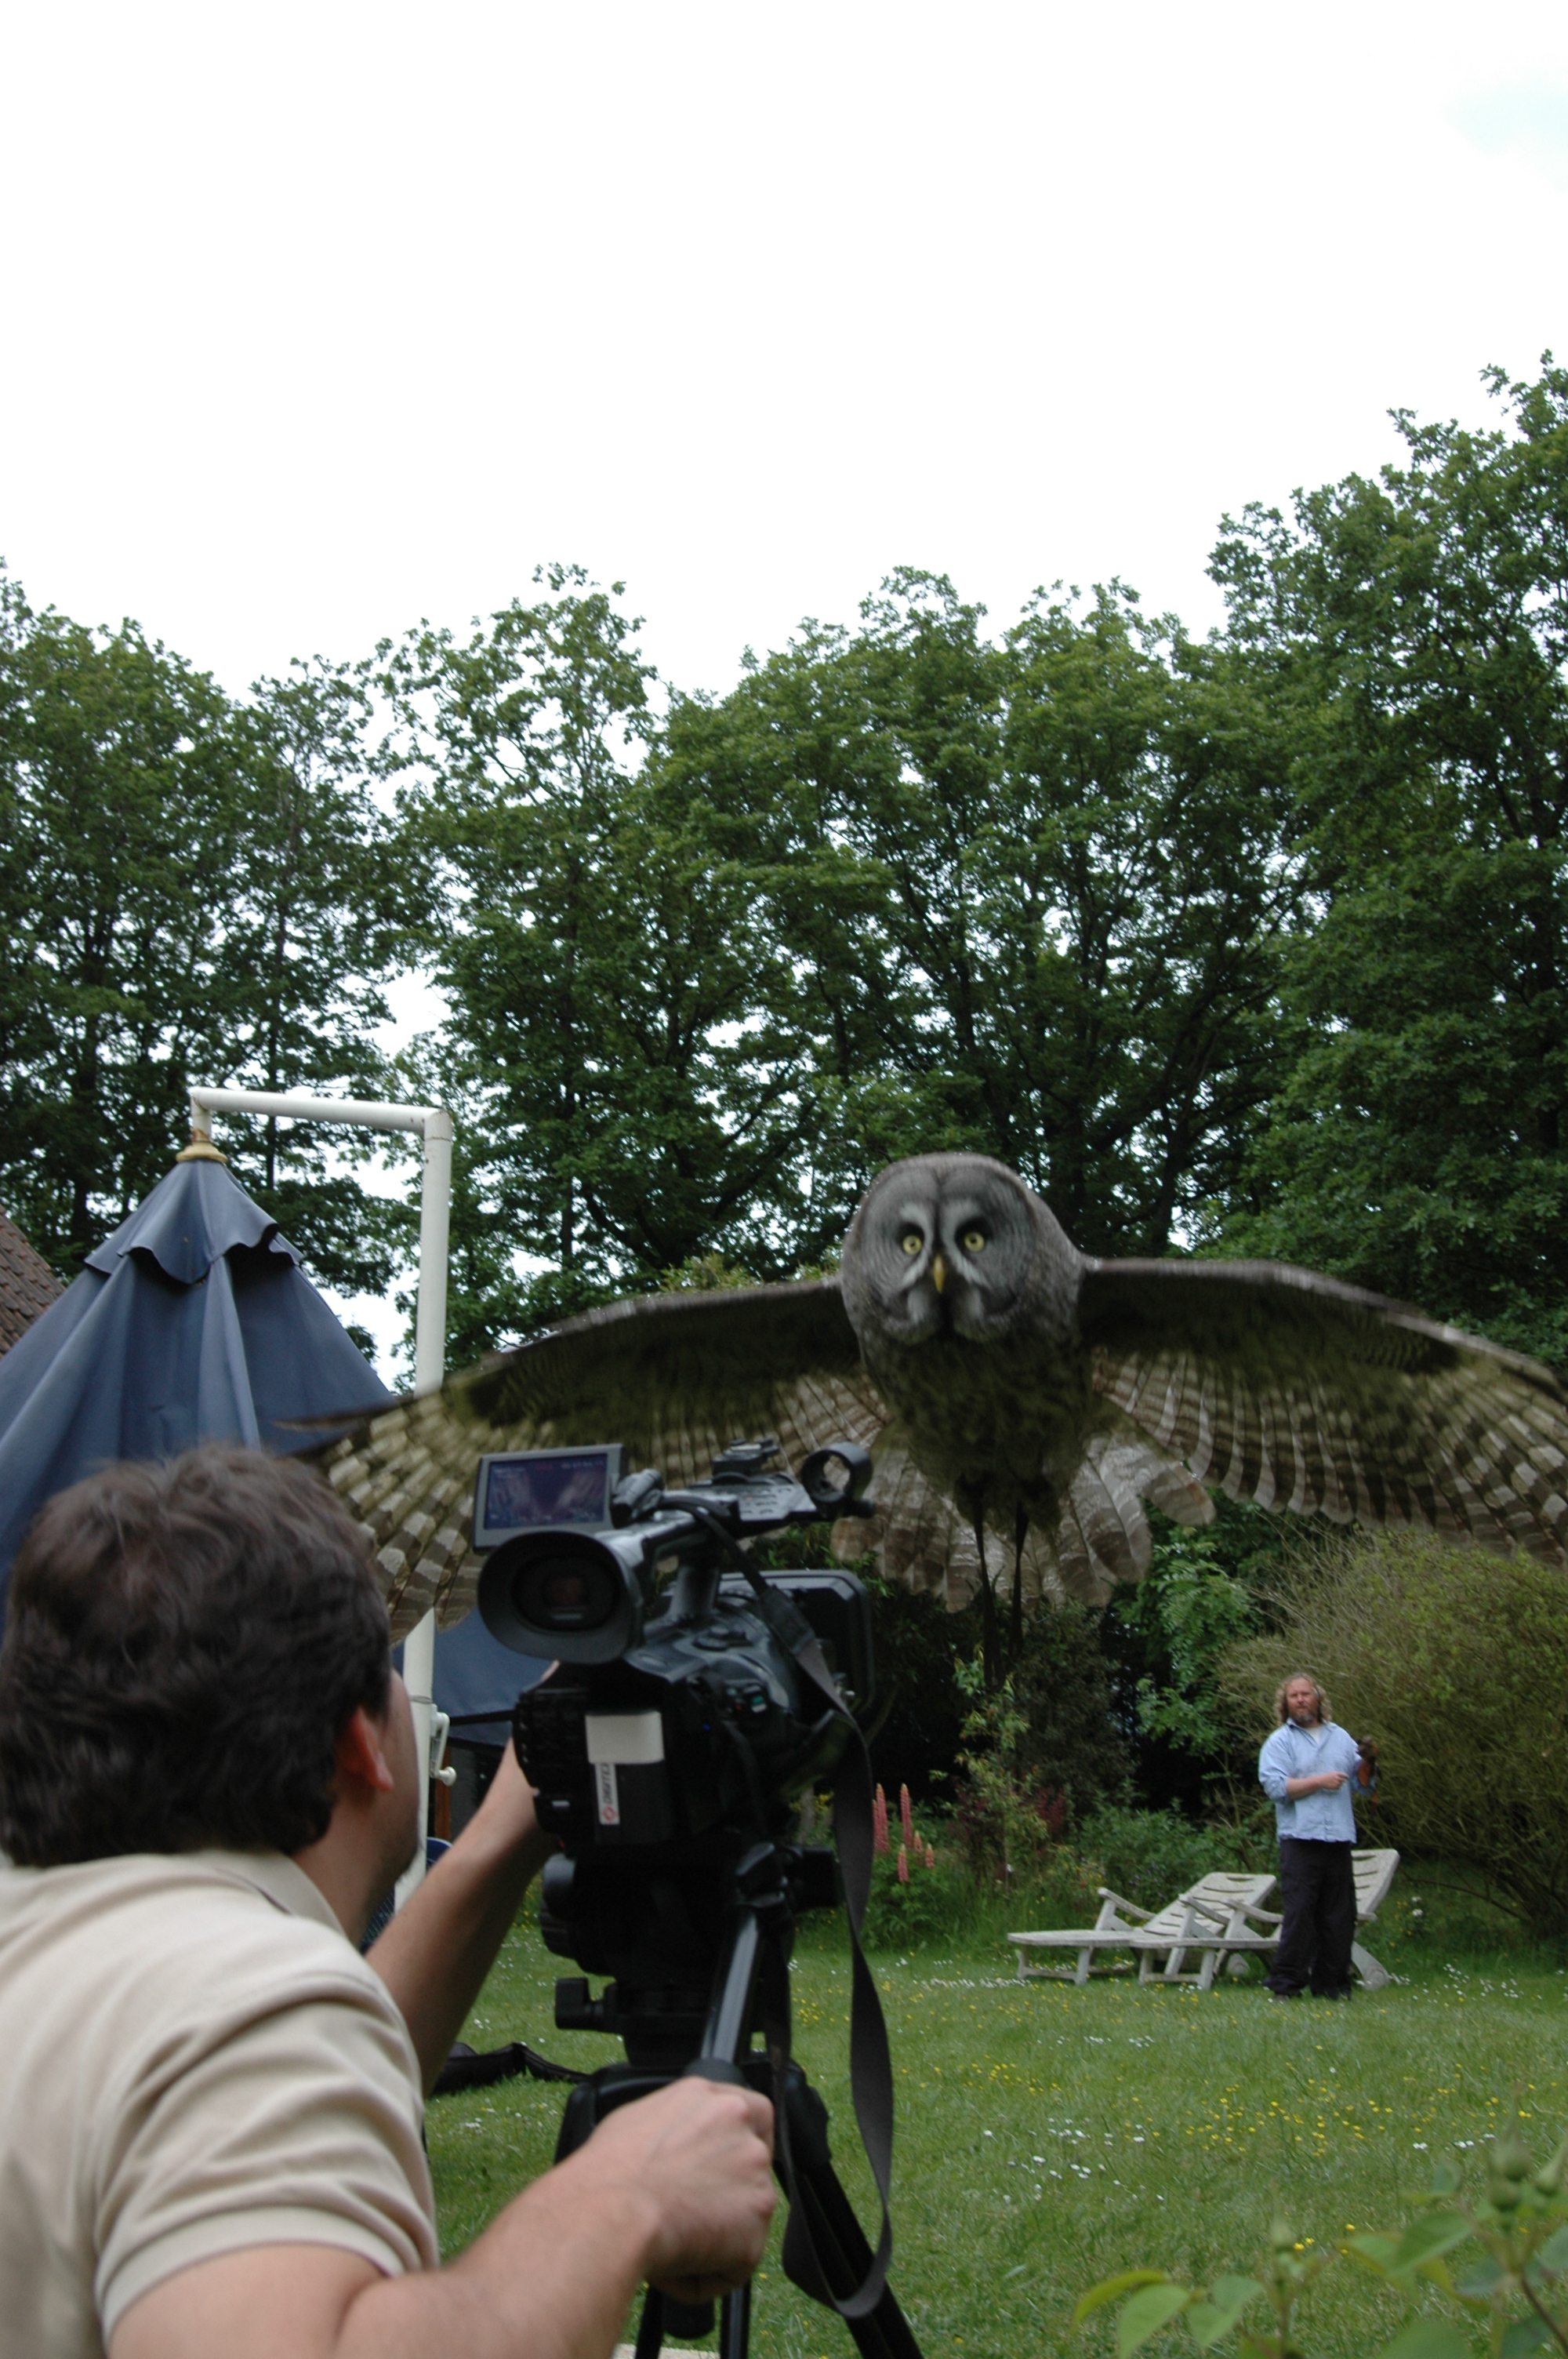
x=183, y=1648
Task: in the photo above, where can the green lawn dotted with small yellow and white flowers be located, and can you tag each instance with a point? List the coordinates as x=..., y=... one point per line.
x=1050, y=2136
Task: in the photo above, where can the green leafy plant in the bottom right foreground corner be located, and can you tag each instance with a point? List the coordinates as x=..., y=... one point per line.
x=1513, y=2285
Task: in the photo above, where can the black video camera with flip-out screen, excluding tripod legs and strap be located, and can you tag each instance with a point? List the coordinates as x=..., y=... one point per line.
x=680, y=1730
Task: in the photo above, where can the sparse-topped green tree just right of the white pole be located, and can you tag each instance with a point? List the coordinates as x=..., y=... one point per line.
x=605, y=968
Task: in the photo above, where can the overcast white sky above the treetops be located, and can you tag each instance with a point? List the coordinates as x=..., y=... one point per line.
x=329, y=317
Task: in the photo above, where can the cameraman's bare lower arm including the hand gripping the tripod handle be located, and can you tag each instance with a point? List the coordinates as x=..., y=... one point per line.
x=676, y=2188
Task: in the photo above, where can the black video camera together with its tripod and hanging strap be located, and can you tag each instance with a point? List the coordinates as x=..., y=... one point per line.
x=690, y=1711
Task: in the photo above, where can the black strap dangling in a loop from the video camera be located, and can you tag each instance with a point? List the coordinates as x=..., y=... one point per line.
x=871, y=2068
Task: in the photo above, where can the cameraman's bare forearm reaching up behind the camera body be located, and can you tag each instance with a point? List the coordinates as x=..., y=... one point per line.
x=442, y=1945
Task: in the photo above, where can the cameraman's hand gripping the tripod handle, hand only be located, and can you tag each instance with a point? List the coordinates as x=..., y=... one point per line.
x=704, y=2150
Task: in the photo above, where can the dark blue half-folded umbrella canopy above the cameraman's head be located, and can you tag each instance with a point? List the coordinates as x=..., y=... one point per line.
x=190, y=1325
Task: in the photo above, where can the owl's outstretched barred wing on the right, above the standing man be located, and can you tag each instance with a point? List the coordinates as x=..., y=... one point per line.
x=1307, y=1395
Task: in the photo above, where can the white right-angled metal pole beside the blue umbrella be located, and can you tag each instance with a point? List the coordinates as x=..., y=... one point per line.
x=435, y=1126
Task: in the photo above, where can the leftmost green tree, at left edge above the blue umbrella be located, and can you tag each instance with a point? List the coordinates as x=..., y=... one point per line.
x=121, y=839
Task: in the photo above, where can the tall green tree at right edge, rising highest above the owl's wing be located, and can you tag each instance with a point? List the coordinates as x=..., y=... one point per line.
x=1411, y=636
